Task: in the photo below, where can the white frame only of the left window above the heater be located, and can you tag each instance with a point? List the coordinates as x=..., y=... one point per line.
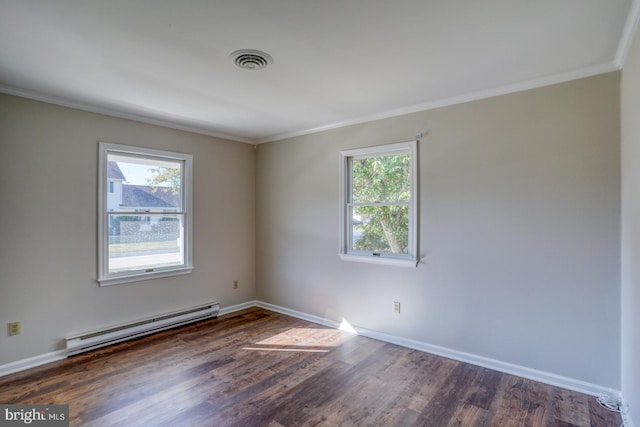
x=104, y=277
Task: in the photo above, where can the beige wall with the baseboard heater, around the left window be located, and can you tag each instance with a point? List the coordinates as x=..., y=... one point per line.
x=48, y=183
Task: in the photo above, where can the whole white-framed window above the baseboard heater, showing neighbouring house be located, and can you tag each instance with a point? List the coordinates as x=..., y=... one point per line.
x=131, y=246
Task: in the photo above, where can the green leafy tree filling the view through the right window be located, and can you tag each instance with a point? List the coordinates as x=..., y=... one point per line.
x=383, y=185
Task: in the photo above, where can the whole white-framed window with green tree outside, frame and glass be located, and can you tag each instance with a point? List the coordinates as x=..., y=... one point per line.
x=379, y=204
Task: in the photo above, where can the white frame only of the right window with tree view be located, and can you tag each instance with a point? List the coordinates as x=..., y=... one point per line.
x=406, y=260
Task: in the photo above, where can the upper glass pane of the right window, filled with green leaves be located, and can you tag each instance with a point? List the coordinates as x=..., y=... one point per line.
x=381, y=179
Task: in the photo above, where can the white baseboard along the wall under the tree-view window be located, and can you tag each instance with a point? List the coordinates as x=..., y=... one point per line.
x=497, y=365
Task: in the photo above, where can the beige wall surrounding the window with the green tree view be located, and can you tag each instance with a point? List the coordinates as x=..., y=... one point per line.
x=519, y=227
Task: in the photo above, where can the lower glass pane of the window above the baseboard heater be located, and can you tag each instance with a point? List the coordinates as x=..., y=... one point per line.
x=145, y=242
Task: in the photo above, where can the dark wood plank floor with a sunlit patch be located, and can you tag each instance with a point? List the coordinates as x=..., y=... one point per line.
x=259, y=368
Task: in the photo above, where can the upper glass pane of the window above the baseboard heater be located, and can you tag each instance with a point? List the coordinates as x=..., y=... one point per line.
x=143, y=184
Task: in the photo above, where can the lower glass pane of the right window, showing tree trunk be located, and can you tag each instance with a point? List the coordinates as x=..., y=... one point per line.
x=380, y=229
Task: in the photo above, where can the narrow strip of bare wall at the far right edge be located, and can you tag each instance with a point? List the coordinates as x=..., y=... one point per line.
x=631, y=230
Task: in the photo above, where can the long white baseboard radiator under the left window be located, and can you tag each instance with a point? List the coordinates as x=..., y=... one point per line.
x=92, y=340
